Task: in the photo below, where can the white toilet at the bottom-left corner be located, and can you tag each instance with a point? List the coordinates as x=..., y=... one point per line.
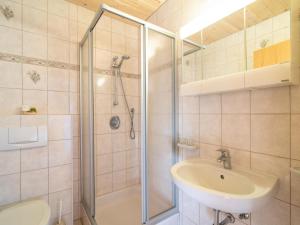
x=35, y=212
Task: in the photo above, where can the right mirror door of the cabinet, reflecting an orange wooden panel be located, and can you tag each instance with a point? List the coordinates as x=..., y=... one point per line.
x=268, y=33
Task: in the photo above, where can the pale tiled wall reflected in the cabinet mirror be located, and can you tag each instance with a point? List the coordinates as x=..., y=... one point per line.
x=227, y=55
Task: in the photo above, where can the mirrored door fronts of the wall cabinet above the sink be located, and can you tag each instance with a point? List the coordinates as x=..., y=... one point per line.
x=250, y=38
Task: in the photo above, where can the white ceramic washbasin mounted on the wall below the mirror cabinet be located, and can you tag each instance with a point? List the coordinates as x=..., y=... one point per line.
x=235, y=191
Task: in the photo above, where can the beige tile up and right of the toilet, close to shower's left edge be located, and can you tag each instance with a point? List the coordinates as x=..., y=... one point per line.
x=60, y=178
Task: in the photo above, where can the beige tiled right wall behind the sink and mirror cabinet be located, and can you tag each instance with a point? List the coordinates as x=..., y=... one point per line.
x=261, y=129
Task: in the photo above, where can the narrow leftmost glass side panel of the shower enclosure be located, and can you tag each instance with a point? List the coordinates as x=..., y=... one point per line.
x=86, y=140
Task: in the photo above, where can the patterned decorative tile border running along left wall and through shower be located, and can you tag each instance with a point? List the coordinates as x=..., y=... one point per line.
x=47, y=63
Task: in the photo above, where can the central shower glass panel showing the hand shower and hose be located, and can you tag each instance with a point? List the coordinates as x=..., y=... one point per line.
x=117, y=99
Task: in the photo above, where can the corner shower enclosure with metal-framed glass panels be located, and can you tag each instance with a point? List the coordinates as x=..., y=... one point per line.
x=128, y=120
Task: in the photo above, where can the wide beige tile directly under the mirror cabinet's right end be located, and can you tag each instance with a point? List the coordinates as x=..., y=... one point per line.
x=272, y=100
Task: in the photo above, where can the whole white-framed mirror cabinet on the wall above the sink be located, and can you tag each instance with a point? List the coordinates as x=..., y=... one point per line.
x=257, y=46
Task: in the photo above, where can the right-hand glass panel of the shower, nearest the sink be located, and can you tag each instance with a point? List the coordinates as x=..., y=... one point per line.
x=160, y=130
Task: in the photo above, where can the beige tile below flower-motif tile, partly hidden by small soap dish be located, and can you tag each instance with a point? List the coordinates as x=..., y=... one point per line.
x=37, y=99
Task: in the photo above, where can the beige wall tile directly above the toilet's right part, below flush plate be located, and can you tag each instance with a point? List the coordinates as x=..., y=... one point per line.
x=34, y=183
